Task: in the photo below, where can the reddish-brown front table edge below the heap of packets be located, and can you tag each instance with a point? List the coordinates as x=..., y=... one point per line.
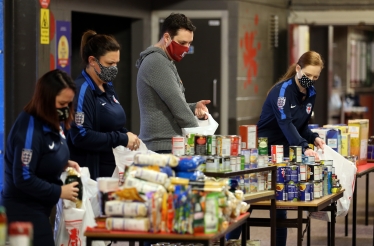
x=144, y=236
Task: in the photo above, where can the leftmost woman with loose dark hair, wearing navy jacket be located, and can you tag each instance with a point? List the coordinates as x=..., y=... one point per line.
x=37, y=153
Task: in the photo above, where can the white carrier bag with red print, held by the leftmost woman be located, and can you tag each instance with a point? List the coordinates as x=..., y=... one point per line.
x=71, y=222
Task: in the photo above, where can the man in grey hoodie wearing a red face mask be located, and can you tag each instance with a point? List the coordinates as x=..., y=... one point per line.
x=163, y=107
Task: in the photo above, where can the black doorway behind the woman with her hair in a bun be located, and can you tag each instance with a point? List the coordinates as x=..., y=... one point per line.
x=120, y=28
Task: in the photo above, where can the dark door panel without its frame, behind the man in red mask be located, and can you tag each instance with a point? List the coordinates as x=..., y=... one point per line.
x=200, y=70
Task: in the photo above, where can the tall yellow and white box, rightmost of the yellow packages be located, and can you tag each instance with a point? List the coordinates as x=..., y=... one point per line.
x=359, y=130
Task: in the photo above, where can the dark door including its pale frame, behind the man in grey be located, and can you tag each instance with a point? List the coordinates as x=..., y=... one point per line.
x=204, y=71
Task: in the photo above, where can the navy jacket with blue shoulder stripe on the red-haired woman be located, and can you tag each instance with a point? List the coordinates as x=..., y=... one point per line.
x=285, y=116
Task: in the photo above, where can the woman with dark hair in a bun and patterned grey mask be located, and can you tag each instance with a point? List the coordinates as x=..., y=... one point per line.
x=99, y=119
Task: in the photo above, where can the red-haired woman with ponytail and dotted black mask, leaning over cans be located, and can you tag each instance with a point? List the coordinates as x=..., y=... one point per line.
x=286, y=113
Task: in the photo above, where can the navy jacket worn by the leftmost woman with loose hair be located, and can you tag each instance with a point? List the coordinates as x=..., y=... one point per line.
x=35, y=157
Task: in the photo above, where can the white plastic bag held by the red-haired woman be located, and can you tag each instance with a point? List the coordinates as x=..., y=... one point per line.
x=346, y=173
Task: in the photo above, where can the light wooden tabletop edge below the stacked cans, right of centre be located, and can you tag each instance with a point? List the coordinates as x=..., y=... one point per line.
x=316, y=204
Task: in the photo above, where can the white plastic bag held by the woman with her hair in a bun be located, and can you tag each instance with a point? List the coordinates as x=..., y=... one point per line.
x=124, y=157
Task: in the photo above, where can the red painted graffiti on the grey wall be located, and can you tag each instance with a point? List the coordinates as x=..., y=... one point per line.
x=249, y=53
